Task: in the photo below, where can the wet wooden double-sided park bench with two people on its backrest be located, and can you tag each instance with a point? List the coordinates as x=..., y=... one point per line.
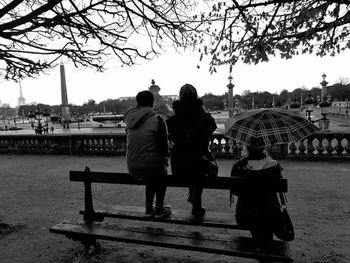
x=92, y=228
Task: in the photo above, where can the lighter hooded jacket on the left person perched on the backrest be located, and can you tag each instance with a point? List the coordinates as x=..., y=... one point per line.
x=147, y=145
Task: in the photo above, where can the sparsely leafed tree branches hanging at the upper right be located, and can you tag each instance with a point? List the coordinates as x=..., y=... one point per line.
x=253, y=31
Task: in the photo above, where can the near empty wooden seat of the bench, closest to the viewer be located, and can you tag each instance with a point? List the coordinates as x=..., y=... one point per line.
x=194, y=241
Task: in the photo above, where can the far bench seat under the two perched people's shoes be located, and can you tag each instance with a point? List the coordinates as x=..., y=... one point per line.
x=210, y=219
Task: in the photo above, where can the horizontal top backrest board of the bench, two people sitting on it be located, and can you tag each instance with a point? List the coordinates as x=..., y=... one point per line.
x=239, y=183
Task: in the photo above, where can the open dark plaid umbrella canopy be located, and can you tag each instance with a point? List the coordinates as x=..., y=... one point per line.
x=270, y=127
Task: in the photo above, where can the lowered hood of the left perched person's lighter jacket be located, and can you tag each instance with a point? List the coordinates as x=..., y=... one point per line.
x=136, y=116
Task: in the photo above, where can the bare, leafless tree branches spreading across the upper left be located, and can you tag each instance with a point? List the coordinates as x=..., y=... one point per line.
x=36, y=34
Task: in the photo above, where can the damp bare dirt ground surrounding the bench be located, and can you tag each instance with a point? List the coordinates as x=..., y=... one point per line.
x=35, y=194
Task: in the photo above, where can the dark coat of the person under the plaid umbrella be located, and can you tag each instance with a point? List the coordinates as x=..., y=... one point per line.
x=257, y=209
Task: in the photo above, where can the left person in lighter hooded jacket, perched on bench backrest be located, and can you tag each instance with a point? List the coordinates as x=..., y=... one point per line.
x=147, y=150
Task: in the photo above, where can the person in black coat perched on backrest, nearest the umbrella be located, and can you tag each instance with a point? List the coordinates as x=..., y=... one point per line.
x=190, y=129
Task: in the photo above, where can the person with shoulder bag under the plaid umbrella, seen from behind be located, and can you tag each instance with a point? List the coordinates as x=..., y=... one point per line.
x=259, y=212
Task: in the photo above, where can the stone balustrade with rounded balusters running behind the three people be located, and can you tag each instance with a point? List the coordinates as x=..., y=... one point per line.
x=321, y=145
